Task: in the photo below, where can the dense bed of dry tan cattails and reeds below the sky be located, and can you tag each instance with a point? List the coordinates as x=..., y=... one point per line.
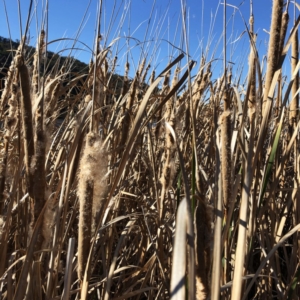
x=160, y=186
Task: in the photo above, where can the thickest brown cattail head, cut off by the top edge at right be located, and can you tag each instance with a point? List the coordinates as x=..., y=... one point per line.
x=274, y=46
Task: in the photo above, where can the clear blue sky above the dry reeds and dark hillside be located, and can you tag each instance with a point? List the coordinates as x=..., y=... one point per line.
x=65, y=17
